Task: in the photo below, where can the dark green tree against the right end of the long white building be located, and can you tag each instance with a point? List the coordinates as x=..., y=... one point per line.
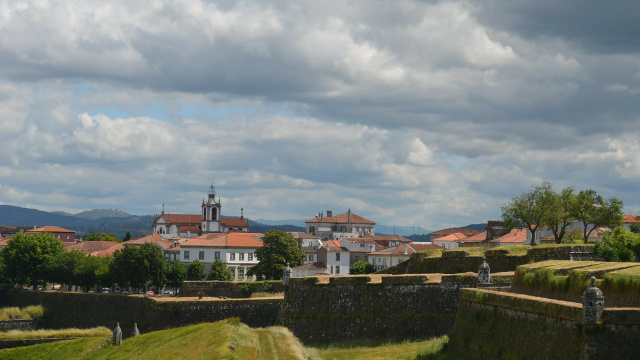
x=279, y=248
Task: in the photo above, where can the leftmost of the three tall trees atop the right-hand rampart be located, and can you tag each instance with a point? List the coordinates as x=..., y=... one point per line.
x=530, y=210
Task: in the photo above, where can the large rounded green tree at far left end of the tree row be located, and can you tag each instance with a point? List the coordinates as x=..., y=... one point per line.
x=26, y=256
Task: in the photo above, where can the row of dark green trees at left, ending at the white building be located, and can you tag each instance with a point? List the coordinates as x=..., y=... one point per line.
x=35, y=259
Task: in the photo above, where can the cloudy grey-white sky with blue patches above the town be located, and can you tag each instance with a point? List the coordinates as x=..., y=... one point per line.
x=412, y=113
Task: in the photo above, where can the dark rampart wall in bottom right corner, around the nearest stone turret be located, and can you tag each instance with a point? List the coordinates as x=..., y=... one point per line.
x=499, y=325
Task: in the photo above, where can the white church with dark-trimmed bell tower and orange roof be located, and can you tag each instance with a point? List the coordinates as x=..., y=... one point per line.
x=209, y=221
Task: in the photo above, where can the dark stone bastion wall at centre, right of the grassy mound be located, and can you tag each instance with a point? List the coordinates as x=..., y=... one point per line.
x=320, y=314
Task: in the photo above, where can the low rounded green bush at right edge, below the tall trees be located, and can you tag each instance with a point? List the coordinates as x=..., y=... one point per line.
x=619, y=245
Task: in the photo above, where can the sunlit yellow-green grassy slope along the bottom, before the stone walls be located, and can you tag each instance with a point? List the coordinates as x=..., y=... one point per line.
x=211, y=340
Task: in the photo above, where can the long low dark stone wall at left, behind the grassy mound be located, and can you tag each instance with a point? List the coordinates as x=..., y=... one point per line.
x=84, y=310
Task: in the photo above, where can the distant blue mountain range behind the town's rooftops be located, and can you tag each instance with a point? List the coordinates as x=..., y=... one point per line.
x=118, y=222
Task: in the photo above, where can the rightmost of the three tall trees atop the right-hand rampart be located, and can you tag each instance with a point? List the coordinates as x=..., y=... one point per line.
x=594, y=212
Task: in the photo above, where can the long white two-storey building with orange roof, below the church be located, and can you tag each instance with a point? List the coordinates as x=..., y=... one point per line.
x=236, y=249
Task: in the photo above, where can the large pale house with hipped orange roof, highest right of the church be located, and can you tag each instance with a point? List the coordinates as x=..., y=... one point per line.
x=340, y=226
